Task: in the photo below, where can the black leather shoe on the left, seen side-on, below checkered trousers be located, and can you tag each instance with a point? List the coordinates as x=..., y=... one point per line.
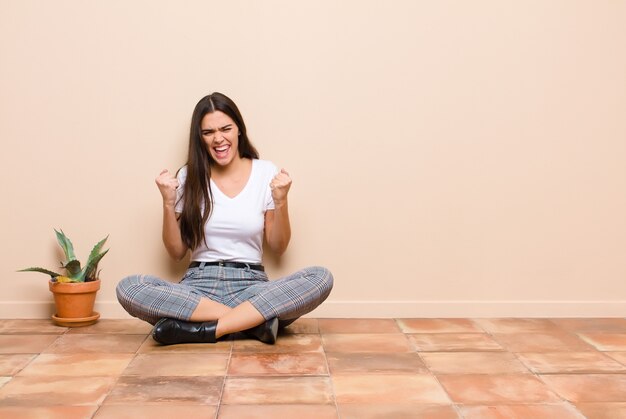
x=171, y=331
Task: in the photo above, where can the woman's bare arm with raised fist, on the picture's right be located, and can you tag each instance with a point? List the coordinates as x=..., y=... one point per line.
x=277, y=227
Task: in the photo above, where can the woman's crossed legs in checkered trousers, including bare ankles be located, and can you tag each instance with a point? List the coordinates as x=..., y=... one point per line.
x=151, y=299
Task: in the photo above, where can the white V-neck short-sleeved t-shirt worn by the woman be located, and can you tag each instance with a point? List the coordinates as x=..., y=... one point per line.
x=234, y=231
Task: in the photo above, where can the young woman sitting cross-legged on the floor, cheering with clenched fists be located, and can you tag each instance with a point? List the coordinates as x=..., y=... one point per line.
x=220, y=206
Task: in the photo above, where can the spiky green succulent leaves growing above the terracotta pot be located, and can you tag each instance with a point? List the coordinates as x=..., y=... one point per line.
x=74, y=271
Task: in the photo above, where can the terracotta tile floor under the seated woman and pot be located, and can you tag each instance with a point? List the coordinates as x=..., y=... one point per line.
x=326, y=368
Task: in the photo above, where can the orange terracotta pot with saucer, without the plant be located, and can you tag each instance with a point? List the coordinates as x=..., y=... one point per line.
x=75, y=300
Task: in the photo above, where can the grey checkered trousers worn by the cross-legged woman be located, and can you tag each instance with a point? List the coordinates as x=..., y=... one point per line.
x=150, y=298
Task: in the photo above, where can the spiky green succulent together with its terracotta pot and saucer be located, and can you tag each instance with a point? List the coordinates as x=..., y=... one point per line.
x=75, y=292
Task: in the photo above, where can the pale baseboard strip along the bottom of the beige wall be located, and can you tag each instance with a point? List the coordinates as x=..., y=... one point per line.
x=380, y=309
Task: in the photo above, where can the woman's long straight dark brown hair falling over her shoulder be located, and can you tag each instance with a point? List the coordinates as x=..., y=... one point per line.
x=197, y=191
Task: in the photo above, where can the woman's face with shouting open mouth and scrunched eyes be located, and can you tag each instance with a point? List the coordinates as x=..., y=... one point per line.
x=221, y=137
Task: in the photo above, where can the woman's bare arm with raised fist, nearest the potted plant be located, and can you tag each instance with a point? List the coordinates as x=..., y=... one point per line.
x=172, y=238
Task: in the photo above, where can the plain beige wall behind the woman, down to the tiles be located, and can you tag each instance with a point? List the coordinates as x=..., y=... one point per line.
x=450, y=158
